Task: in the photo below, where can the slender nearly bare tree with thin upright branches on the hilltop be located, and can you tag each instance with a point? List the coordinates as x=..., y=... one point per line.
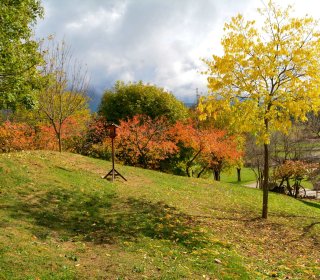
x=66, y=91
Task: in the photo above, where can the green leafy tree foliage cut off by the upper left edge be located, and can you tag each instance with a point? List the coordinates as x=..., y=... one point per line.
x=19, y=55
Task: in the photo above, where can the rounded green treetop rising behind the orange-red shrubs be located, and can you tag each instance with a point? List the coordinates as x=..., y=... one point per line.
x=124, y=101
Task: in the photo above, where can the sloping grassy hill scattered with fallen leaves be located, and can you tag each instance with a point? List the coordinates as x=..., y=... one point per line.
x=60, y=220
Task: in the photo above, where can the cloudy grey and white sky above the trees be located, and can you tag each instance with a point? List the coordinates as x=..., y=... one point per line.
x=156, y=41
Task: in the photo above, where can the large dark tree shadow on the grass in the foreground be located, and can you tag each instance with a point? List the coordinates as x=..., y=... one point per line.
x=105, y=218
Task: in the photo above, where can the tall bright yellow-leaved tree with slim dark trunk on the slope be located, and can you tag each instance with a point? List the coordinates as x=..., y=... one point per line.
x=267, y=76
